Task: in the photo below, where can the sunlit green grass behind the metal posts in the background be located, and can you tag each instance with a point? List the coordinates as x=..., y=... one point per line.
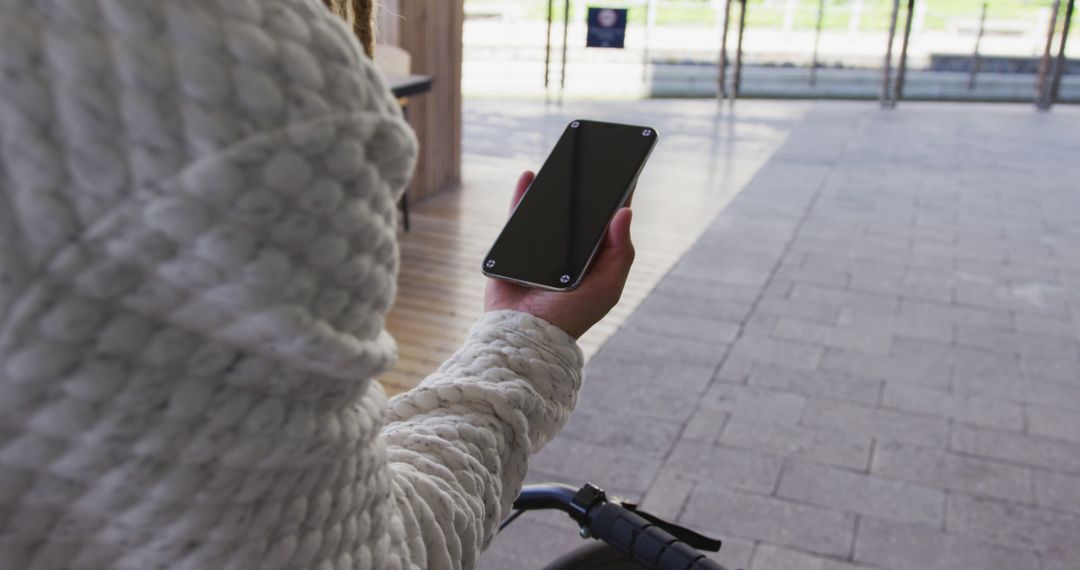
x=771, y=13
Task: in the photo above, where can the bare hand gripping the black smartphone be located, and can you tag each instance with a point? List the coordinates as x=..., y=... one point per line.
x=601, y=289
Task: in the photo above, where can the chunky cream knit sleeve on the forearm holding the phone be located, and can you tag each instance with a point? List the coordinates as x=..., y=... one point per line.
x=460, y=444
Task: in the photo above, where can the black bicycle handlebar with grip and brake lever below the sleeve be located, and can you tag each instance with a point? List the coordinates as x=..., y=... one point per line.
x=630, y=538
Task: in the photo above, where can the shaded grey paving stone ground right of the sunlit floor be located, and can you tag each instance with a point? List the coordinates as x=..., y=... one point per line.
x=870, y=360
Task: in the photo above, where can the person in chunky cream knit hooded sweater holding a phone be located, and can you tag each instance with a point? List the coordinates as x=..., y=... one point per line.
x=197, y=253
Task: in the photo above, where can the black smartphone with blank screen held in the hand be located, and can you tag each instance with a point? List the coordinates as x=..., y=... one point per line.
x=559, y=225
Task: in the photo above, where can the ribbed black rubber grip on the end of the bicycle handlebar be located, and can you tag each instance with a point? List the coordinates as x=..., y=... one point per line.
x=645, y=542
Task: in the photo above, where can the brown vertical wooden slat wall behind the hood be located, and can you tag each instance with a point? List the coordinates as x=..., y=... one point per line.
x=431, y=33
